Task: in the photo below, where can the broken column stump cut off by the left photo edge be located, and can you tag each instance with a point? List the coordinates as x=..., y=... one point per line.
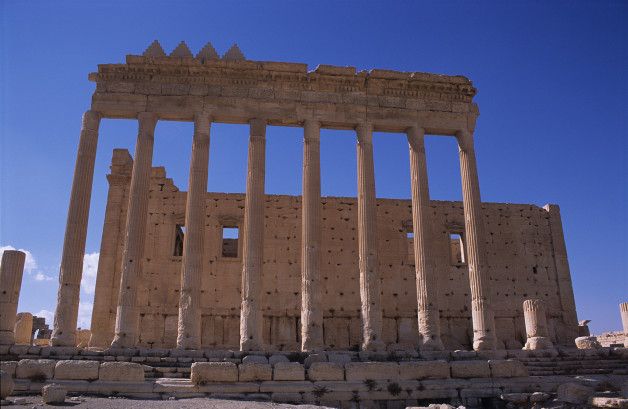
x=11, y=271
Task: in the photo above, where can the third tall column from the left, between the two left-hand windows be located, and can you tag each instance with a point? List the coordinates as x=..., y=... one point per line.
x=189, y=336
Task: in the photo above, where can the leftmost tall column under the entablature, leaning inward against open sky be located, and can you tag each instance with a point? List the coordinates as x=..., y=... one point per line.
x=71, y=271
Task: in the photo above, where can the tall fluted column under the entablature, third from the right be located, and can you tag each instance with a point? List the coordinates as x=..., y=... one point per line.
x=367, y=235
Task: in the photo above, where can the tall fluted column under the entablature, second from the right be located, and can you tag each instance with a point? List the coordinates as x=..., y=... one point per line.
x=426, y=280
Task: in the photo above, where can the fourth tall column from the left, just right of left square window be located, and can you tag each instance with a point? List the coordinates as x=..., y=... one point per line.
x=251, y=319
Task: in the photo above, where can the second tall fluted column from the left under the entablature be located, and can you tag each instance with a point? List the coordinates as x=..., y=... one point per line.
x=128, y=313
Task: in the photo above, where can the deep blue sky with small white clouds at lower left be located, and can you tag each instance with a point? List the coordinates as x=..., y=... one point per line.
x=552, y=92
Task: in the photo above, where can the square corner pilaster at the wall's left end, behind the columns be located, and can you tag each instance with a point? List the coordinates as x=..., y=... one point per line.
x=105, y=298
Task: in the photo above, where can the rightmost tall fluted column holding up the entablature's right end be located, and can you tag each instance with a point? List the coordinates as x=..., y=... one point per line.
x=482, y=313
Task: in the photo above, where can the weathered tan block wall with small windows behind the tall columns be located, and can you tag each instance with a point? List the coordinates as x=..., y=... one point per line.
x=519, y=243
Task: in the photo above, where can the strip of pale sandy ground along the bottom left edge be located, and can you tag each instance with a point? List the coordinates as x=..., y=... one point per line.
x=84, y=402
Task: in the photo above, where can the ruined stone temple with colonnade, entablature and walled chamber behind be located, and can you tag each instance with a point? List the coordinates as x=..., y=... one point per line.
x=201, y=270
